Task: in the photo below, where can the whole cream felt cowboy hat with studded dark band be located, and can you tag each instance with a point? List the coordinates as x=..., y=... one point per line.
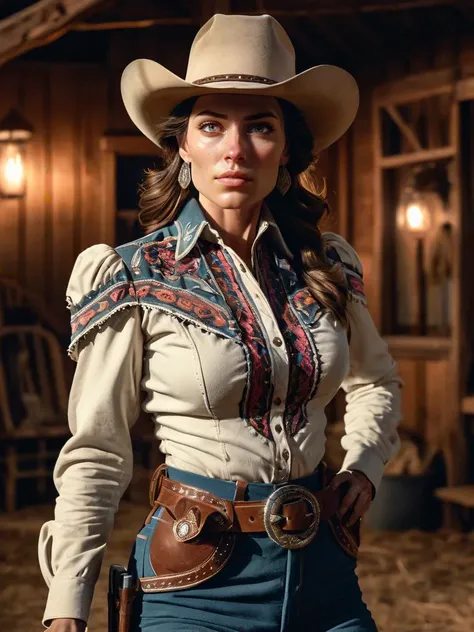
x=243, y=55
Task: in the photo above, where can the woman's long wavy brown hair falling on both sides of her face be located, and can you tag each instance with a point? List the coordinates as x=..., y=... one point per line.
x=298, y=213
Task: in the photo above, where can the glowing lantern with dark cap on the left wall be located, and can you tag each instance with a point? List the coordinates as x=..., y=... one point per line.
x=15, y=132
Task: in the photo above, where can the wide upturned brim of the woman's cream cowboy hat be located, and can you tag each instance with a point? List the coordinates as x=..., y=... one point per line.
x=327, y=96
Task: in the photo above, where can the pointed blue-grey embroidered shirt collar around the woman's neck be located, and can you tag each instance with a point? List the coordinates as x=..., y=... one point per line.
x=191, y=223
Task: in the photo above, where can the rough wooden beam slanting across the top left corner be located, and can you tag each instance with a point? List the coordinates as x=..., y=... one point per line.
x=40, y=24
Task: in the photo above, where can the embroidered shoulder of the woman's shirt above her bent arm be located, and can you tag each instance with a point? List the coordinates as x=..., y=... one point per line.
x=339, y=251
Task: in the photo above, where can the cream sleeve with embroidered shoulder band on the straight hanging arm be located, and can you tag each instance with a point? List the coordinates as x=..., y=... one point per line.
x=95, y=466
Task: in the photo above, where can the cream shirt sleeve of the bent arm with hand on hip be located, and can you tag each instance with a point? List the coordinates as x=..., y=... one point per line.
x=372, y=386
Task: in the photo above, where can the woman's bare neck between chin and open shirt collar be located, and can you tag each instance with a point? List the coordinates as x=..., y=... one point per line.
x=236, y=226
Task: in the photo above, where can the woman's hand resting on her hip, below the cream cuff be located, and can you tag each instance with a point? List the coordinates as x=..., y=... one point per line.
x=357, y=498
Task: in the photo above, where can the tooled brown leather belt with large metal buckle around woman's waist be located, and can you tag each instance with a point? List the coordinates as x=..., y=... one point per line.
x=291, y=514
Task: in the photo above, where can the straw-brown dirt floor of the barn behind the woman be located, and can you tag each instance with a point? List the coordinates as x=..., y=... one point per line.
x=412, y=582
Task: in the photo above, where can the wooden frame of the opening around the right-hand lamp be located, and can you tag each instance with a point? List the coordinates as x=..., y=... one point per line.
x=410, y=89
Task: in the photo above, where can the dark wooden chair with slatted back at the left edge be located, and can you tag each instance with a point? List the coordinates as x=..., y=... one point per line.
x=33, y=404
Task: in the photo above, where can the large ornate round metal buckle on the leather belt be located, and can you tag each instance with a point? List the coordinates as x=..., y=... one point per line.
x=272, y=516
